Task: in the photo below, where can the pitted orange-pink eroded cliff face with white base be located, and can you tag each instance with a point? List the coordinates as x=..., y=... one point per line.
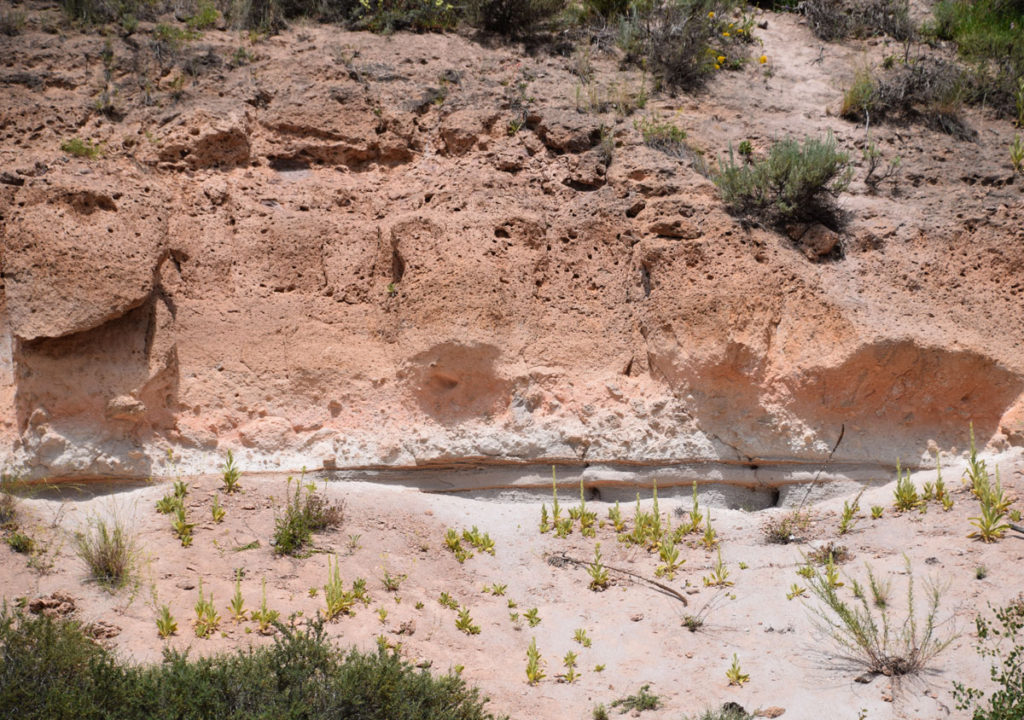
x=340, y=257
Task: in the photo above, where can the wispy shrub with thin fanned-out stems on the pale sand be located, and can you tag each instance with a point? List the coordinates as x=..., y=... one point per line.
x=883, y=646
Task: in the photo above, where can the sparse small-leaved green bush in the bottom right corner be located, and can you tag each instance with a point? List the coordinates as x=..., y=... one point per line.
x=1002, y=641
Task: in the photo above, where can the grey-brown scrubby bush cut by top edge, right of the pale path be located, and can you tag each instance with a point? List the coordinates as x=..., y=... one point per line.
x=835, y=20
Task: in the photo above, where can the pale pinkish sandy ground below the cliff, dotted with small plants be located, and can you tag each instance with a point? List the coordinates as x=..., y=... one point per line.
x=637, y=632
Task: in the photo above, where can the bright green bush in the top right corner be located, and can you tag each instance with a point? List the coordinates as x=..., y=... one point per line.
x=989, y=35
